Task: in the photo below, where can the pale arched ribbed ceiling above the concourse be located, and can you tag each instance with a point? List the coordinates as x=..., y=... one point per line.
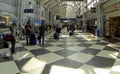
x=58, y=7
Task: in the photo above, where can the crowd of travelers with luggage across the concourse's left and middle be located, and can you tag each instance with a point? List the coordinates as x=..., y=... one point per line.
x=32, y=36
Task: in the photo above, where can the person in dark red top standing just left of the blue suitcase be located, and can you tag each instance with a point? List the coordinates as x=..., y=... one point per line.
x=28, y=32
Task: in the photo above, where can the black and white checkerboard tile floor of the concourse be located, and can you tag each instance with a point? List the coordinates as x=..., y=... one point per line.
x=78, y=54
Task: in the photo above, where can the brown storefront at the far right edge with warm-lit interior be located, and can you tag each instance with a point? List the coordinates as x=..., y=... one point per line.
x=112, y=13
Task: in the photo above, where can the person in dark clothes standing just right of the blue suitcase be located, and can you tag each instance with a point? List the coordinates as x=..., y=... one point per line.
x=41, y=33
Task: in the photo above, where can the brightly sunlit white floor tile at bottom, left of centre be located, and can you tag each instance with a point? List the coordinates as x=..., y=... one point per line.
x=34, y=66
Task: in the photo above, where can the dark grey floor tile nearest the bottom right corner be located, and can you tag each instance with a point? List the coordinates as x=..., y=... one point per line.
x=101, y=62
